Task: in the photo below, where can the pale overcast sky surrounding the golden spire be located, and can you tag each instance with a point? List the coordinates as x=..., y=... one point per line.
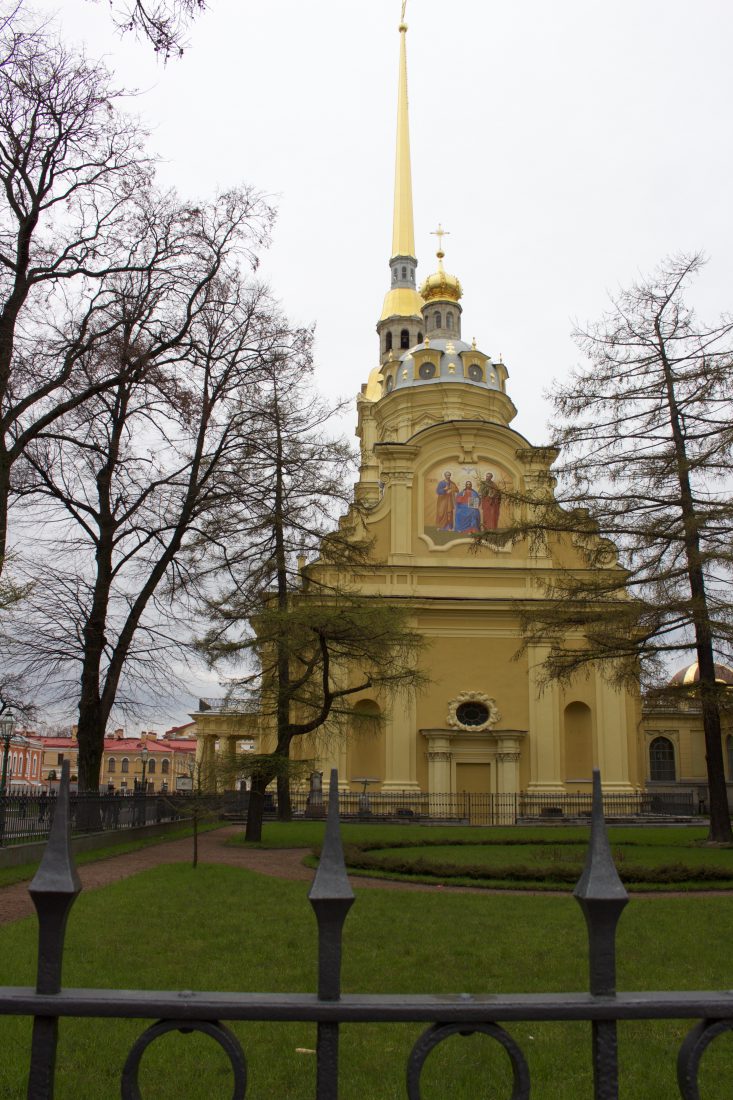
x=567, y=147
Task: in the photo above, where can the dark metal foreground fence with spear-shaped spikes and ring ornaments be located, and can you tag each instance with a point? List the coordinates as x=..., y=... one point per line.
x=599, y=893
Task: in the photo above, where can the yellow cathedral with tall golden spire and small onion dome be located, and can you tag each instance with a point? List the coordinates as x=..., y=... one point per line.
x=439, y=455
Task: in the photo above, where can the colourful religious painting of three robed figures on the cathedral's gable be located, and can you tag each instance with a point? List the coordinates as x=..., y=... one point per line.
x=463, y=501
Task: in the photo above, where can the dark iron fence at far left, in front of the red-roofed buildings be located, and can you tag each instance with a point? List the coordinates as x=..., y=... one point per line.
x=28, y=817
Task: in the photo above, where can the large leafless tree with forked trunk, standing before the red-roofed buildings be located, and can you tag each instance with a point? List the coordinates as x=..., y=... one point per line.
x=134, y=471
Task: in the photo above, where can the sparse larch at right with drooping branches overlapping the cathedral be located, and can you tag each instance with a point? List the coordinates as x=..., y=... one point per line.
x=646, y=438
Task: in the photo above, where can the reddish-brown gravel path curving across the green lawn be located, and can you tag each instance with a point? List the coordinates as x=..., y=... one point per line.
x=278, y=863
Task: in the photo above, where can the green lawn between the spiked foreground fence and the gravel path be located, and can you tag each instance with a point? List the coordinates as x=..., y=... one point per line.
x=222, y=928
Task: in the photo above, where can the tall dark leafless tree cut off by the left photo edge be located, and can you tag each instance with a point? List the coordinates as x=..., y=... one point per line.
x=70, y=166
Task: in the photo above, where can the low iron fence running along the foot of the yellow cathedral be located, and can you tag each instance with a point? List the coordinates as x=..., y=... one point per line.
x=472, y=809
